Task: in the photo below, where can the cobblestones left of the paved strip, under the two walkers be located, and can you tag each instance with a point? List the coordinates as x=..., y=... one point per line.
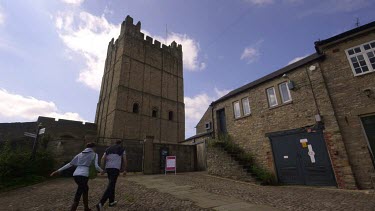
x=58, y=195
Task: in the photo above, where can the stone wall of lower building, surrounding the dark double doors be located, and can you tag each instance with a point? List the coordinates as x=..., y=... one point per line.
x=249, y=131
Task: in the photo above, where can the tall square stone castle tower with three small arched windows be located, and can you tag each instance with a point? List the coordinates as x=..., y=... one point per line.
x=142, y=89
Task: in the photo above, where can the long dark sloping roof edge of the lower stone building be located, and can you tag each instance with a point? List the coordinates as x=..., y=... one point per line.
x=270, y=76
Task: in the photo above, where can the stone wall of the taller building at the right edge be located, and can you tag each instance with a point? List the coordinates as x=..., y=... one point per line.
x=350, y=103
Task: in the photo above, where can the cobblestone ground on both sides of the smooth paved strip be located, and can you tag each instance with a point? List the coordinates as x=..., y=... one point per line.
x=58, y=194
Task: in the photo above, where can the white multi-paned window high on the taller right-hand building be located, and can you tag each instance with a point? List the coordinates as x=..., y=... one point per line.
x=362, y=58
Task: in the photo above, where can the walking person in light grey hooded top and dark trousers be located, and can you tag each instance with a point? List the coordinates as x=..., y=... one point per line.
x=81, y=175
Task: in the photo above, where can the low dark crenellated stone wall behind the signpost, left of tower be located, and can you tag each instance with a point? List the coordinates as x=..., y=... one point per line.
x=67, y=138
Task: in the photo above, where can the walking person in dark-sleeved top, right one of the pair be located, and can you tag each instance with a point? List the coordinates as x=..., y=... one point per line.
x=114, y=162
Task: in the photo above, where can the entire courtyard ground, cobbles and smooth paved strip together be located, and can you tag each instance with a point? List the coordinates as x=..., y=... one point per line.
x=189, y=191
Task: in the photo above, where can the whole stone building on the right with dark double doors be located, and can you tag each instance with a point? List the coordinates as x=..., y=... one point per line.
x=311, y=122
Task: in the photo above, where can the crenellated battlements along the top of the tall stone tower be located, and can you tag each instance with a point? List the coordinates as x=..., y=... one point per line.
x=129, y=29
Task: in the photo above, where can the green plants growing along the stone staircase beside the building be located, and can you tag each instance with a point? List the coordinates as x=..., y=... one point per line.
x=225, y=142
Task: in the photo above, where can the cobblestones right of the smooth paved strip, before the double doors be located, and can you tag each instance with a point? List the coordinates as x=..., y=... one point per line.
x=282, y=197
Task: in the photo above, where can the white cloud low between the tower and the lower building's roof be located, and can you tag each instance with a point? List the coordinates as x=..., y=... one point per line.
x=196, y=106
